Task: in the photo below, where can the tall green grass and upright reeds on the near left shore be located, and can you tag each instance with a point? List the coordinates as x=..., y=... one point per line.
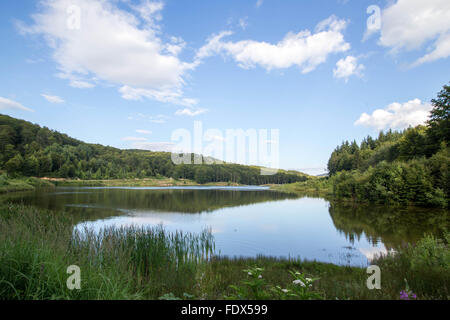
x=36, y=247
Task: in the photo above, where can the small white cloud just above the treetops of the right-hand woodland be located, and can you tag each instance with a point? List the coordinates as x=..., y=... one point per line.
x=397, y=115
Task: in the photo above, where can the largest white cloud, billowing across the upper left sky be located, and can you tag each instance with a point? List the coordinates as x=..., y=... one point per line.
x=114, y=46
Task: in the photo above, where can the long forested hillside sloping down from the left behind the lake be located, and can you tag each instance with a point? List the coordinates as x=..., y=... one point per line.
x=27, y=149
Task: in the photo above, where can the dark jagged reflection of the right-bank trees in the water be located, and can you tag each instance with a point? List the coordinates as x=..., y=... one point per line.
x=393, y=226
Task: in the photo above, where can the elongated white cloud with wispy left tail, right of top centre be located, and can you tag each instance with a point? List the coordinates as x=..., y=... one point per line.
x=303, y=49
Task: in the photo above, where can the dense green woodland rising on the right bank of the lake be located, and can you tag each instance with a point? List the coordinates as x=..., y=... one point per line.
x=411, y=166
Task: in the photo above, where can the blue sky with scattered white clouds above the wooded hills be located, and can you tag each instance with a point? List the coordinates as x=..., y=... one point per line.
x=130, y=73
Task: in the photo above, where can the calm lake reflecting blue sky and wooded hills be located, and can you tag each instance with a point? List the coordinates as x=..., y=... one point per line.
x=249, y=221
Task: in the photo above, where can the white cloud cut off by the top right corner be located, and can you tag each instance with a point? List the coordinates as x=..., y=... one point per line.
x=410, y=24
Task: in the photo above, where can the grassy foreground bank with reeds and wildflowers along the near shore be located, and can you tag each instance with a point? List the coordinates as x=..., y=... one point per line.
x=36, y=247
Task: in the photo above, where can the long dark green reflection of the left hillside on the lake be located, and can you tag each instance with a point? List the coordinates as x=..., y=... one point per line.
x=101, y=203
